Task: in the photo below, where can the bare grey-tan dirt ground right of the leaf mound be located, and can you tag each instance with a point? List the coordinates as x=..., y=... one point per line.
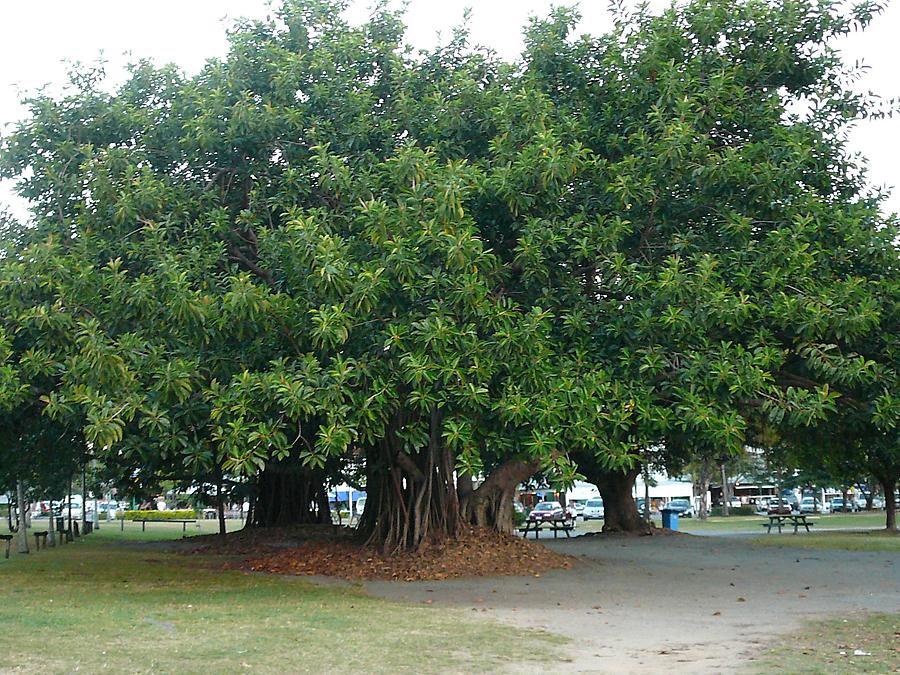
x=682, y=604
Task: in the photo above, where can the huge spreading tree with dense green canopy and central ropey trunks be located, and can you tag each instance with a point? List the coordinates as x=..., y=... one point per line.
x=326, y=251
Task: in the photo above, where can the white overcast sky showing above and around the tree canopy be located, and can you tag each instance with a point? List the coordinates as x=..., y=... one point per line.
x=37, y=37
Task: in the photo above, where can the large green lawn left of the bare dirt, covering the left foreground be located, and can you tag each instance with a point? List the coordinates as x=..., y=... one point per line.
x=108, y=603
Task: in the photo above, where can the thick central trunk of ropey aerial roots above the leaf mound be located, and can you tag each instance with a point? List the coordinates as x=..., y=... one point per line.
x=411, y=498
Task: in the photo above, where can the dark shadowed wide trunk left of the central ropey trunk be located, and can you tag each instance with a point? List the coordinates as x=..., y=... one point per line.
x=288, y=494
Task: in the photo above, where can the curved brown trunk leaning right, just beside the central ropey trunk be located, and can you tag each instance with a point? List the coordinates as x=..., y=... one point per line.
x=491, y=505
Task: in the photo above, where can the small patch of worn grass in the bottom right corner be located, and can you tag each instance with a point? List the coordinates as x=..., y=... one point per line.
x=834, y=646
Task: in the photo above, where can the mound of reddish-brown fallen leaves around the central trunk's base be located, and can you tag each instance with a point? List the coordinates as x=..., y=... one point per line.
x=477, y=552
